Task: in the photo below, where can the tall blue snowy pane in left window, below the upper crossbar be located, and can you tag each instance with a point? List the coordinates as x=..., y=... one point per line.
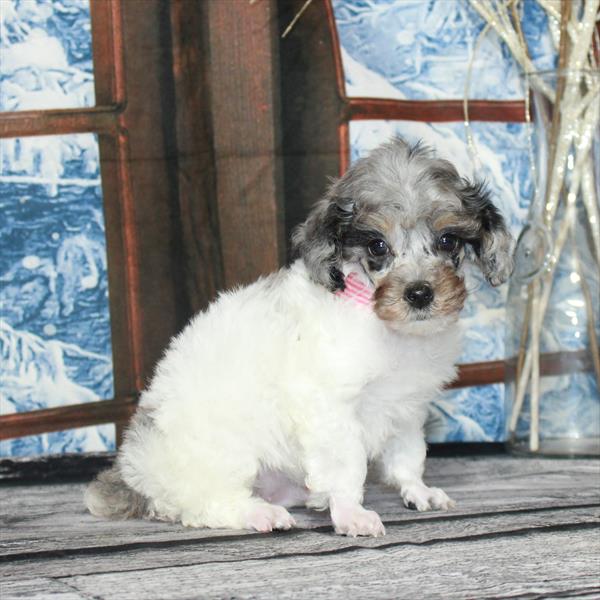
x=55, y=343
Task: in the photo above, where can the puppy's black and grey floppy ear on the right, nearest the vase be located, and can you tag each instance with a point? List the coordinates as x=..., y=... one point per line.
x=493, y=245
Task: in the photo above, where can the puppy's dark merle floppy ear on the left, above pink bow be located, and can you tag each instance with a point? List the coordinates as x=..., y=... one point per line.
x=318, y=241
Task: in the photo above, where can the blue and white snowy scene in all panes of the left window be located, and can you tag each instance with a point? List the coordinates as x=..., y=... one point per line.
x=55, y=345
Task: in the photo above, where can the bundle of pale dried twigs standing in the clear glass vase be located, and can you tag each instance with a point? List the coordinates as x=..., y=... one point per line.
x=570, y=173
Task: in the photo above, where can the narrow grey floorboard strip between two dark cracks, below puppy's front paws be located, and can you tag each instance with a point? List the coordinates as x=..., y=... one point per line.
x=295, y=543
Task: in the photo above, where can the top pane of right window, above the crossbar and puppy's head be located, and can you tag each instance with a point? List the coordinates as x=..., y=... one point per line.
x=418, y=50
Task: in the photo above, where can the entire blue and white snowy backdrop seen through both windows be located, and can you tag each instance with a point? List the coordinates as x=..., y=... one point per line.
x=55, y=328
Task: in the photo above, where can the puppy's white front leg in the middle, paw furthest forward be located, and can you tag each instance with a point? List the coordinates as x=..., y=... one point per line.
x=336, y=468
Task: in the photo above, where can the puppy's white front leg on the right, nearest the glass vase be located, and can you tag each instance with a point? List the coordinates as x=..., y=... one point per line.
x=403, y=464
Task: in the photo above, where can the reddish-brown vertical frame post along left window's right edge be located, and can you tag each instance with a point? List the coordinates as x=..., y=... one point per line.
x=119, y=211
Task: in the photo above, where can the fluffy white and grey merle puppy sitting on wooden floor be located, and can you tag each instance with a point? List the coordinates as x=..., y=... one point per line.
x=282, y=392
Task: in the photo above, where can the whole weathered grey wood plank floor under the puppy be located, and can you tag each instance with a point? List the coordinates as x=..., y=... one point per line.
x=526, y=528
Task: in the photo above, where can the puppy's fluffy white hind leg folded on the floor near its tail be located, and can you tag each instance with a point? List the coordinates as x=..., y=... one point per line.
x=201, y=481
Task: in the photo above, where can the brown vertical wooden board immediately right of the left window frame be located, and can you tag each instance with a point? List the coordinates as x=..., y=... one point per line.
x=158, y=305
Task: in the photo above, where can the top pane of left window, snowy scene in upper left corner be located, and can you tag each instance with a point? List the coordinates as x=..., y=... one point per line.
x=46, y=50
